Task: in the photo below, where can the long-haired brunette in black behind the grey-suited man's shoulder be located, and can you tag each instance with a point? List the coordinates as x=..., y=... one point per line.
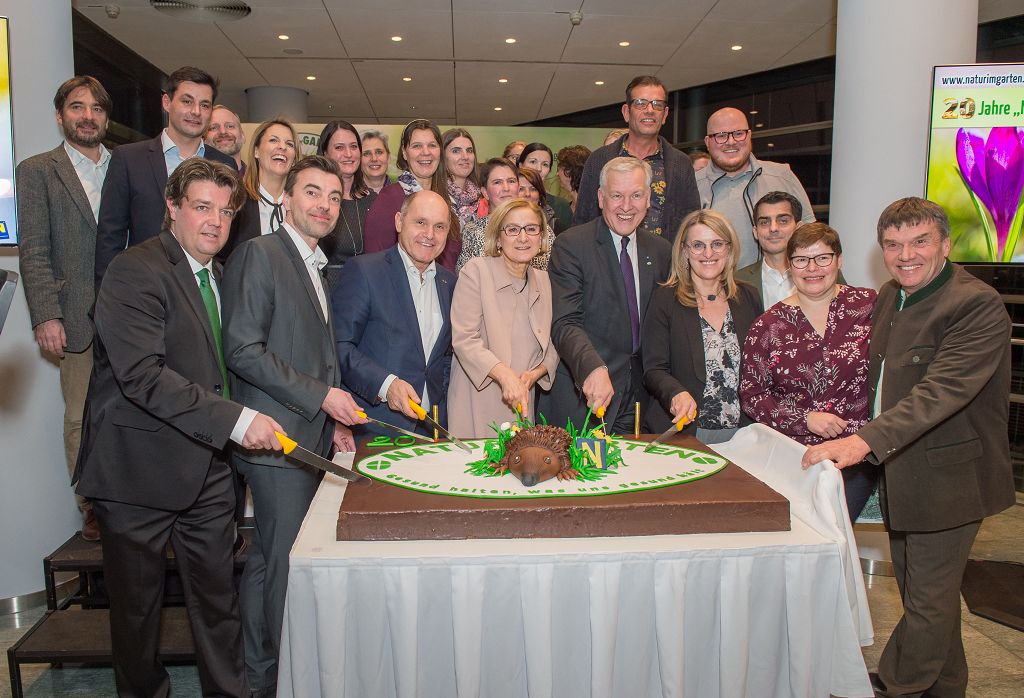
x=340, y=142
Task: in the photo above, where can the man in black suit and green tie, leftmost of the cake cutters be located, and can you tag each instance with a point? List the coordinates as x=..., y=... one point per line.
x=158, y=419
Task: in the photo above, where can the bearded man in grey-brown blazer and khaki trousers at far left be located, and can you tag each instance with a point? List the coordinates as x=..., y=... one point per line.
x=58, y=207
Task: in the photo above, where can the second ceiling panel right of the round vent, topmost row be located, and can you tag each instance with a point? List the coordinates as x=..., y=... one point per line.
x=367, y=34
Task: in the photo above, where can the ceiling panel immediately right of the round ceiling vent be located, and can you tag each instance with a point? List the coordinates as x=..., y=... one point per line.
x=310, y=30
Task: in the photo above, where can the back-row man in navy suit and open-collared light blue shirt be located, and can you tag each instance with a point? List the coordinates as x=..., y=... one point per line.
x=133, y=205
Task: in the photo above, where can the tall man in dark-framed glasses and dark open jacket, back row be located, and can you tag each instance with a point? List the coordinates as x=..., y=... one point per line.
x=674, y=190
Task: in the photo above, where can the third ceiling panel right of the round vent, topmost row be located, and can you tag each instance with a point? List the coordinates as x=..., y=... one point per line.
x=481, y=36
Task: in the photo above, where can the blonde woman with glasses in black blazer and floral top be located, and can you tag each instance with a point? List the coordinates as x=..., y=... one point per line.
x=696, y=327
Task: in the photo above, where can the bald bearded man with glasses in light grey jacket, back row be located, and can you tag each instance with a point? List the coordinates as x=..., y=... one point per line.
x=736, y=180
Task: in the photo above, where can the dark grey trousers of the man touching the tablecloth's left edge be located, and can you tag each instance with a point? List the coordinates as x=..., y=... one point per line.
x=281, y=499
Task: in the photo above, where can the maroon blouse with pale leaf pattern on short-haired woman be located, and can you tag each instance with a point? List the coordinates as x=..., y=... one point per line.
x=790, y=370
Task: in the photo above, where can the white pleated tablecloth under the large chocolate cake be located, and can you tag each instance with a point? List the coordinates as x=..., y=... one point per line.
x=762, y=616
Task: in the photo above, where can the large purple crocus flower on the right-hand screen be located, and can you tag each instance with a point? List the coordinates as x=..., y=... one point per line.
x=994, y=169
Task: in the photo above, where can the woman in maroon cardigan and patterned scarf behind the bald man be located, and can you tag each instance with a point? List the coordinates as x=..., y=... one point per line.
x=419, y=158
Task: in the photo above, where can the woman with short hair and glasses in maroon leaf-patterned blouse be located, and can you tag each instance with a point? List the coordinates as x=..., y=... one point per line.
x=805, y=361
